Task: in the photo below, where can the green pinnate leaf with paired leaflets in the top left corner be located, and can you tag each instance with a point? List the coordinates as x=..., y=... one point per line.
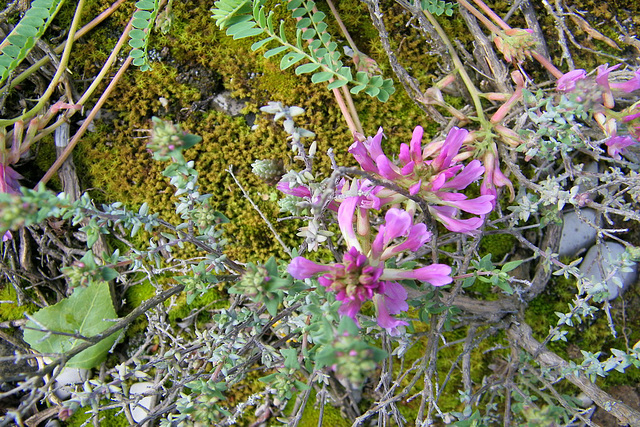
x=17, y=45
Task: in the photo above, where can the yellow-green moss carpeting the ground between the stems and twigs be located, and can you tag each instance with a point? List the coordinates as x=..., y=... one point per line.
x=196, y=61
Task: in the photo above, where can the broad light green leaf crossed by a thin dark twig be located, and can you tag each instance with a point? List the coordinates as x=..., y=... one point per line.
x=87, y=312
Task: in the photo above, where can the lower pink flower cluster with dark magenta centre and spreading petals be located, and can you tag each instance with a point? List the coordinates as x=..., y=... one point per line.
x=363, y=277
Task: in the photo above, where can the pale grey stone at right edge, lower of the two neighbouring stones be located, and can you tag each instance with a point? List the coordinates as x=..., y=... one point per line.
x=607, y=256
